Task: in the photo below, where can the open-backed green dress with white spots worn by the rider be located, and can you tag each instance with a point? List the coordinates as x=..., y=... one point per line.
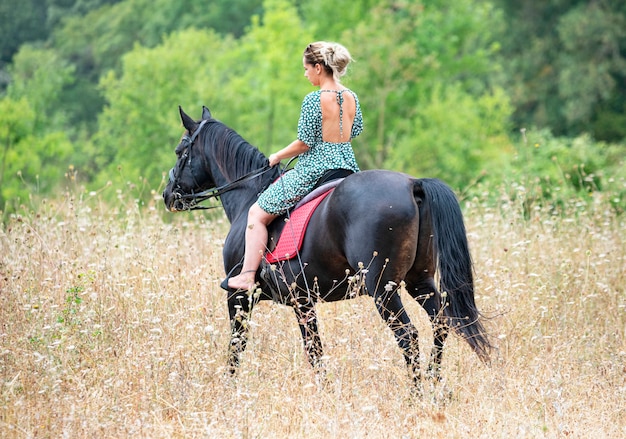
x=322, y=156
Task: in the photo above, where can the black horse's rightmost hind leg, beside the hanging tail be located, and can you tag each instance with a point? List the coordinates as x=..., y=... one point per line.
x=427, y=295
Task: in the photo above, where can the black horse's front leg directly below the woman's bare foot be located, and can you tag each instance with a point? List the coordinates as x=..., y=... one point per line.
x=240, y=306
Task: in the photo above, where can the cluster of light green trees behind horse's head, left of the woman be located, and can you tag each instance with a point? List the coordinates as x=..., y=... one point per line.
x=248, y=85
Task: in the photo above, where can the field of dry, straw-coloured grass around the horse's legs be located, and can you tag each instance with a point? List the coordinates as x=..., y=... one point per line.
x=113, y=325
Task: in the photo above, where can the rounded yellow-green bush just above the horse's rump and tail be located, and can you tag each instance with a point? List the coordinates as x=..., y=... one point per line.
x=455, y=137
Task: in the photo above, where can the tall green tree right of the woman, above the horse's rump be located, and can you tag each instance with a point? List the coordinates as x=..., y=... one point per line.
x=419, y=58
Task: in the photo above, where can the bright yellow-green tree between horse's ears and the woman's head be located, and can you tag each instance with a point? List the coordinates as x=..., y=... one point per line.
x=265, y=83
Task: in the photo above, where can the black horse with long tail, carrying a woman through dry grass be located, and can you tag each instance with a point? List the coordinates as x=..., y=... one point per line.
x=377, y=232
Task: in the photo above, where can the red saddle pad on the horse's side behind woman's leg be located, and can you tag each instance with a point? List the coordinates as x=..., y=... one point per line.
x=292, y=235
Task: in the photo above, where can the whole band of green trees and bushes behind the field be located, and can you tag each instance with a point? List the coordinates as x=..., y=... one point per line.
x=89, y=89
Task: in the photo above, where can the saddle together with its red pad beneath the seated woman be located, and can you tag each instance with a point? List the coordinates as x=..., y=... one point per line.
x=285, y=240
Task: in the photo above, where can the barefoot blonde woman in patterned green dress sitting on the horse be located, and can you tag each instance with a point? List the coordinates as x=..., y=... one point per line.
x=330, y=118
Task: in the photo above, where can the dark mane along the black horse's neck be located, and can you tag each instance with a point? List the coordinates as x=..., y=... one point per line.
x=234, y=156
